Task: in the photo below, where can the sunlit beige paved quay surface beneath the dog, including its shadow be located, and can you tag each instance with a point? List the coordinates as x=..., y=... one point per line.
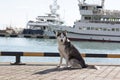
x=50, y=72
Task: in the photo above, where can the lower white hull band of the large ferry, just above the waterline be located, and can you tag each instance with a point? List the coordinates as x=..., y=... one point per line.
x=93, y=37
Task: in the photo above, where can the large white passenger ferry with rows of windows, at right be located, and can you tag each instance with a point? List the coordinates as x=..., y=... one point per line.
x=96, y=24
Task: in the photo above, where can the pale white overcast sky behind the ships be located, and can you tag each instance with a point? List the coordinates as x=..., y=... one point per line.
x=17, y=13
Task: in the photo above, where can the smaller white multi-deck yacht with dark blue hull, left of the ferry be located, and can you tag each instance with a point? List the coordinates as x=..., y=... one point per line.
x=42, y=26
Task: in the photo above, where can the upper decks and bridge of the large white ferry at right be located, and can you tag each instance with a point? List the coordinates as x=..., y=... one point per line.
x=95, y=12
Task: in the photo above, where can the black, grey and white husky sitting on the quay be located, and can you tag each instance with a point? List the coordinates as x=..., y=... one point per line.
x=67, y=51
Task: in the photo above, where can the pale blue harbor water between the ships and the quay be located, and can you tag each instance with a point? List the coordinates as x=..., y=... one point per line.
x=50, y=45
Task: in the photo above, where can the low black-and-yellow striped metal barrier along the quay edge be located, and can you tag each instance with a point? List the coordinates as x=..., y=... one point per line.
x=18, y=55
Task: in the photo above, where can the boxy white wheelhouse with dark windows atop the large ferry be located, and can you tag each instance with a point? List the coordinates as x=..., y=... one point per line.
x=90, y=11
